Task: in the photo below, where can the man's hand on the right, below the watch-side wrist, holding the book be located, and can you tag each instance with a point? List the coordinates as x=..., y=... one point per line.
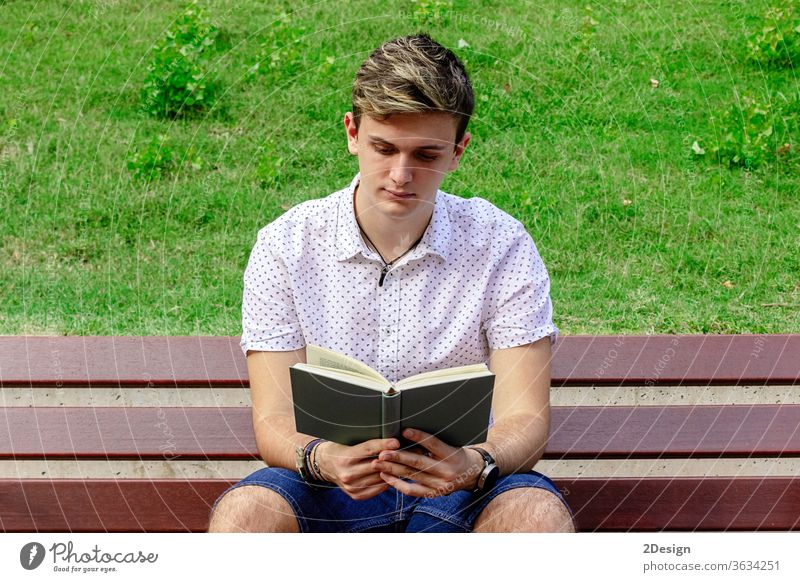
x=443, y=470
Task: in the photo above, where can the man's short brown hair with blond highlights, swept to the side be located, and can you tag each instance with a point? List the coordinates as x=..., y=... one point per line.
x=413, y=74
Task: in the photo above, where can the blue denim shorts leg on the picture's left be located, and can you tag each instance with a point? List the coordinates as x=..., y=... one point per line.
x=325, y=508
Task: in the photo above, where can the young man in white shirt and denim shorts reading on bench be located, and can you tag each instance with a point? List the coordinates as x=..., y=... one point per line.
x=407, y=279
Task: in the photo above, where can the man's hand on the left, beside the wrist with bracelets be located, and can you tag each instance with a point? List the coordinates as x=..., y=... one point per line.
x=351, y=468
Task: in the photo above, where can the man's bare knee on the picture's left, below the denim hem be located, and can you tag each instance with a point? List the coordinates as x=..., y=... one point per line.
x=252, y=509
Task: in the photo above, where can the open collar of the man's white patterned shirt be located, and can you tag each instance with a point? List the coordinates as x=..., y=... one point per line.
x=349, y=242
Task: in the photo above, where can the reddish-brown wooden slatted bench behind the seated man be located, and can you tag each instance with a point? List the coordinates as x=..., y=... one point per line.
x=648, y=433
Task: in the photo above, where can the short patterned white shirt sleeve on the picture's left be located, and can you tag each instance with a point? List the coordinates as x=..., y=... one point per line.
x=269, y=318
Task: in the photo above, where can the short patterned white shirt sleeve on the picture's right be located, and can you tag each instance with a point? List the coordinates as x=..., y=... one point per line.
x=519, y=307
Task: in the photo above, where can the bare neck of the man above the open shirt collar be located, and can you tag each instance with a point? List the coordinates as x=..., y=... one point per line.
x=391, y=238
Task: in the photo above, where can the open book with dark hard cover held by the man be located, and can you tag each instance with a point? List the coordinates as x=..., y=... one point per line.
x=340, y=399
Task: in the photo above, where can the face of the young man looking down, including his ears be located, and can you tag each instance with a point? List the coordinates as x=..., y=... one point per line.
x=403, y=160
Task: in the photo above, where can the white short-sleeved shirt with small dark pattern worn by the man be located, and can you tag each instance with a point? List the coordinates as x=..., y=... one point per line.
x=474, y=282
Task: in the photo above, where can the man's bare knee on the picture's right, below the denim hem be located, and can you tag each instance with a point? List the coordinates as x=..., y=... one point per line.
x=525, y=510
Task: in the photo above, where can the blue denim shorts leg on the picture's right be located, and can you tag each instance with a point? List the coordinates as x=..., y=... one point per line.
x=458, y=511
